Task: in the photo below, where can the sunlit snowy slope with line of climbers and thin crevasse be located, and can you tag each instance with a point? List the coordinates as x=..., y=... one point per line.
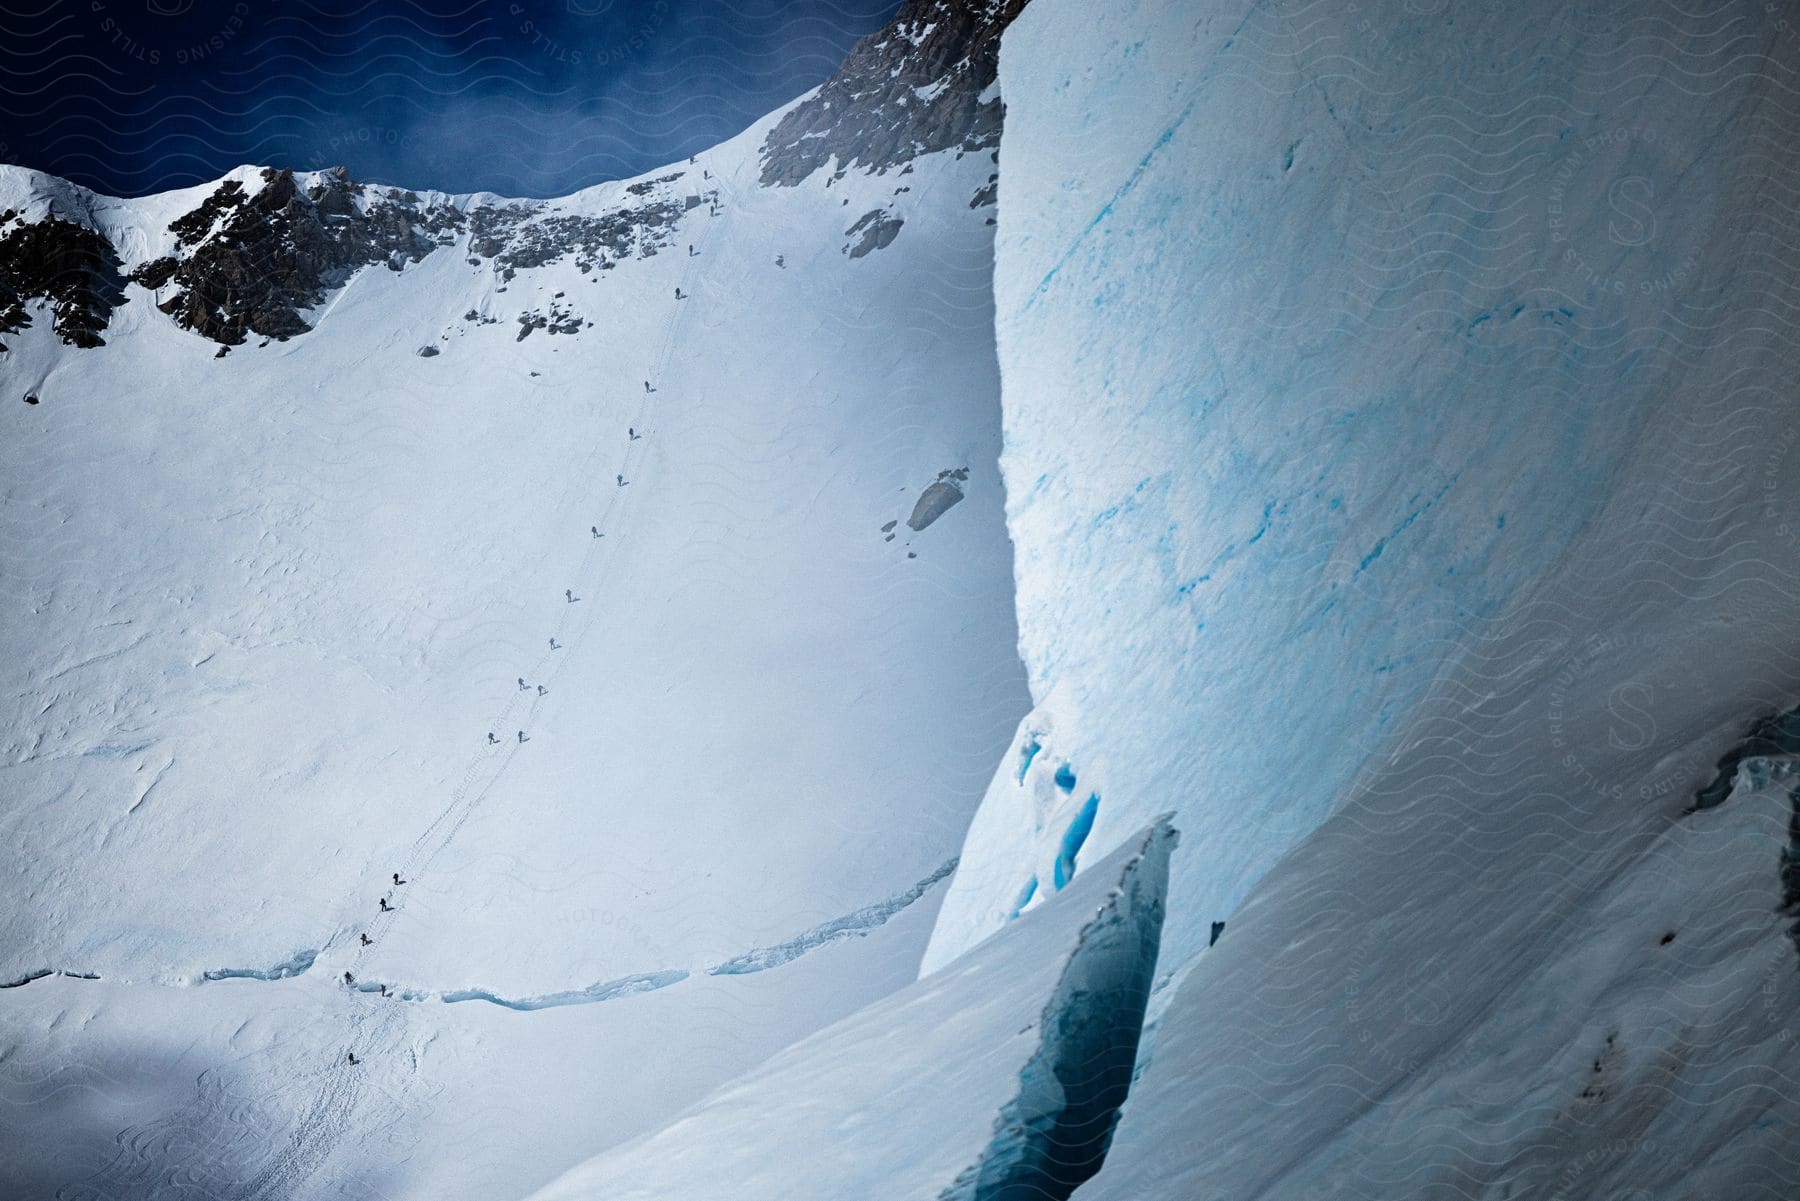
x=274, y=577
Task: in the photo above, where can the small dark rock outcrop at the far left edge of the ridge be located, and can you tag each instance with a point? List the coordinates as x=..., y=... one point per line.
x=69, y=266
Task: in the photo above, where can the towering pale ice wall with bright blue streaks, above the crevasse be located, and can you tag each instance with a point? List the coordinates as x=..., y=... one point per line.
x=1333, y=341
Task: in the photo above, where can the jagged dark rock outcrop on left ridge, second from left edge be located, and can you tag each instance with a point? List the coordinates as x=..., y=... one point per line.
x=249, y=264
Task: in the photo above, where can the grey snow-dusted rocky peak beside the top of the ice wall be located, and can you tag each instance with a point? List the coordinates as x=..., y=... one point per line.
x=906, y=91
